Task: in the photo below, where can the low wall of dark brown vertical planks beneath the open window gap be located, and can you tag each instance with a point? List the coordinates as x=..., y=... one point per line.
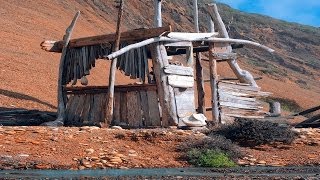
x=134, y=106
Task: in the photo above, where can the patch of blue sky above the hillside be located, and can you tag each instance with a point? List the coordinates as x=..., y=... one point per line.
x=300, y=11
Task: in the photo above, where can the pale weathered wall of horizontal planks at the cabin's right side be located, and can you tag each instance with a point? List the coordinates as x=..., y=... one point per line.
x=239, y=100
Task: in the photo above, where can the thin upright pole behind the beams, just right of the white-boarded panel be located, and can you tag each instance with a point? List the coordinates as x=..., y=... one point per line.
x=199, y=69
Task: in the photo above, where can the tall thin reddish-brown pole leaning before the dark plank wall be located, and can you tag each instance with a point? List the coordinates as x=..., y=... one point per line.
x=113, y=67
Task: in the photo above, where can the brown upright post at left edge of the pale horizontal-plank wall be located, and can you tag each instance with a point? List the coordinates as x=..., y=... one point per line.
x=214, y=85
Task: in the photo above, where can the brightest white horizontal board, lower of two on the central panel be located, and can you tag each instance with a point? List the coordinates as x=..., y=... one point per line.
x=180, y=81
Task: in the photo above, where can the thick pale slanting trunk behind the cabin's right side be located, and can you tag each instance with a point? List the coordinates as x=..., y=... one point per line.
x=243, y=75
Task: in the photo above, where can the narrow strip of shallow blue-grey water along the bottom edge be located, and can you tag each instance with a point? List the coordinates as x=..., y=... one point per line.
x=163, y=172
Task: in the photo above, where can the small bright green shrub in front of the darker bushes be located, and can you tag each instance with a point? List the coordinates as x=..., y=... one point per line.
x=210, y=158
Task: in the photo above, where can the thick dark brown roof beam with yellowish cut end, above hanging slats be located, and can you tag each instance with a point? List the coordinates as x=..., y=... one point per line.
x=132, y=35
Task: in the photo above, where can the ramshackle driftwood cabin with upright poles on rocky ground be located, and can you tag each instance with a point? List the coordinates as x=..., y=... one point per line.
x=166, y=96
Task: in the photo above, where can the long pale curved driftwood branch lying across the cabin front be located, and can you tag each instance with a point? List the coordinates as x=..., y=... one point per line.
x=159, y=39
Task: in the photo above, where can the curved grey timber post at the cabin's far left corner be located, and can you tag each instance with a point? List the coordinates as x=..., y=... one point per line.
x=61, y=96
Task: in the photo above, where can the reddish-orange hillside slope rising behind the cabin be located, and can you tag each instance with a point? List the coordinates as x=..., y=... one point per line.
x=28, y=75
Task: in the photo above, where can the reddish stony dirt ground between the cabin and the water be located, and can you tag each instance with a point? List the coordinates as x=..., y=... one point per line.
x=100, y=148
